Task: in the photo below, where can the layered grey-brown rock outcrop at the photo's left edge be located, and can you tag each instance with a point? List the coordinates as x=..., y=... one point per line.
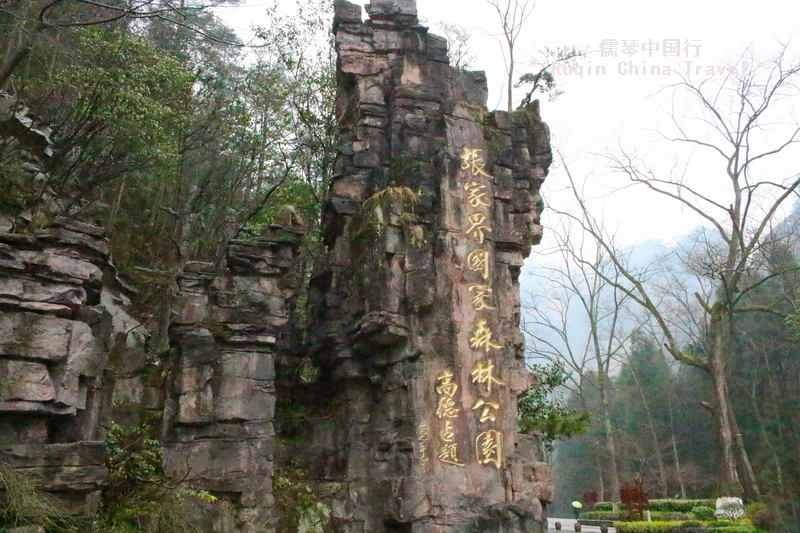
x=61, y=315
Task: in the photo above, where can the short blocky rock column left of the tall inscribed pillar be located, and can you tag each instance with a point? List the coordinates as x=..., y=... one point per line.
x=225, y=329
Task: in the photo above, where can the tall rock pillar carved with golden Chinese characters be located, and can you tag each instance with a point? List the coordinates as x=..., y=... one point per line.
x=434, y=206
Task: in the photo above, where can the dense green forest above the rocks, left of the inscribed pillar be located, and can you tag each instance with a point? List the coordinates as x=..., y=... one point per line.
x=166, y=129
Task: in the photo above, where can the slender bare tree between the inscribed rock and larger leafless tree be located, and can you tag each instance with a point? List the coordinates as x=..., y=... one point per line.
x=572, y=293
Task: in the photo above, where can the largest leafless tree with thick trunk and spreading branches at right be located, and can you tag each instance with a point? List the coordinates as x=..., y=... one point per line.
x=742, y=120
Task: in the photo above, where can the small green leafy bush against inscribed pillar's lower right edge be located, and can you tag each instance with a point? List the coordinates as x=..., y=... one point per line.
x=541, y=410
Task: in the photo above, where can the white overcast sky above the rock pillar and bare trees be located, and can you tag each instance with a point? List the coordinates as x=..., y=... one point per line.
x=597, y=110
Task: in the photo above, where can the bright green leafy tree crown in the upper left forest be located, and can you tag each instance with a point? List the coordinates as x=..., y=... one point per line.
x=120, y=105
